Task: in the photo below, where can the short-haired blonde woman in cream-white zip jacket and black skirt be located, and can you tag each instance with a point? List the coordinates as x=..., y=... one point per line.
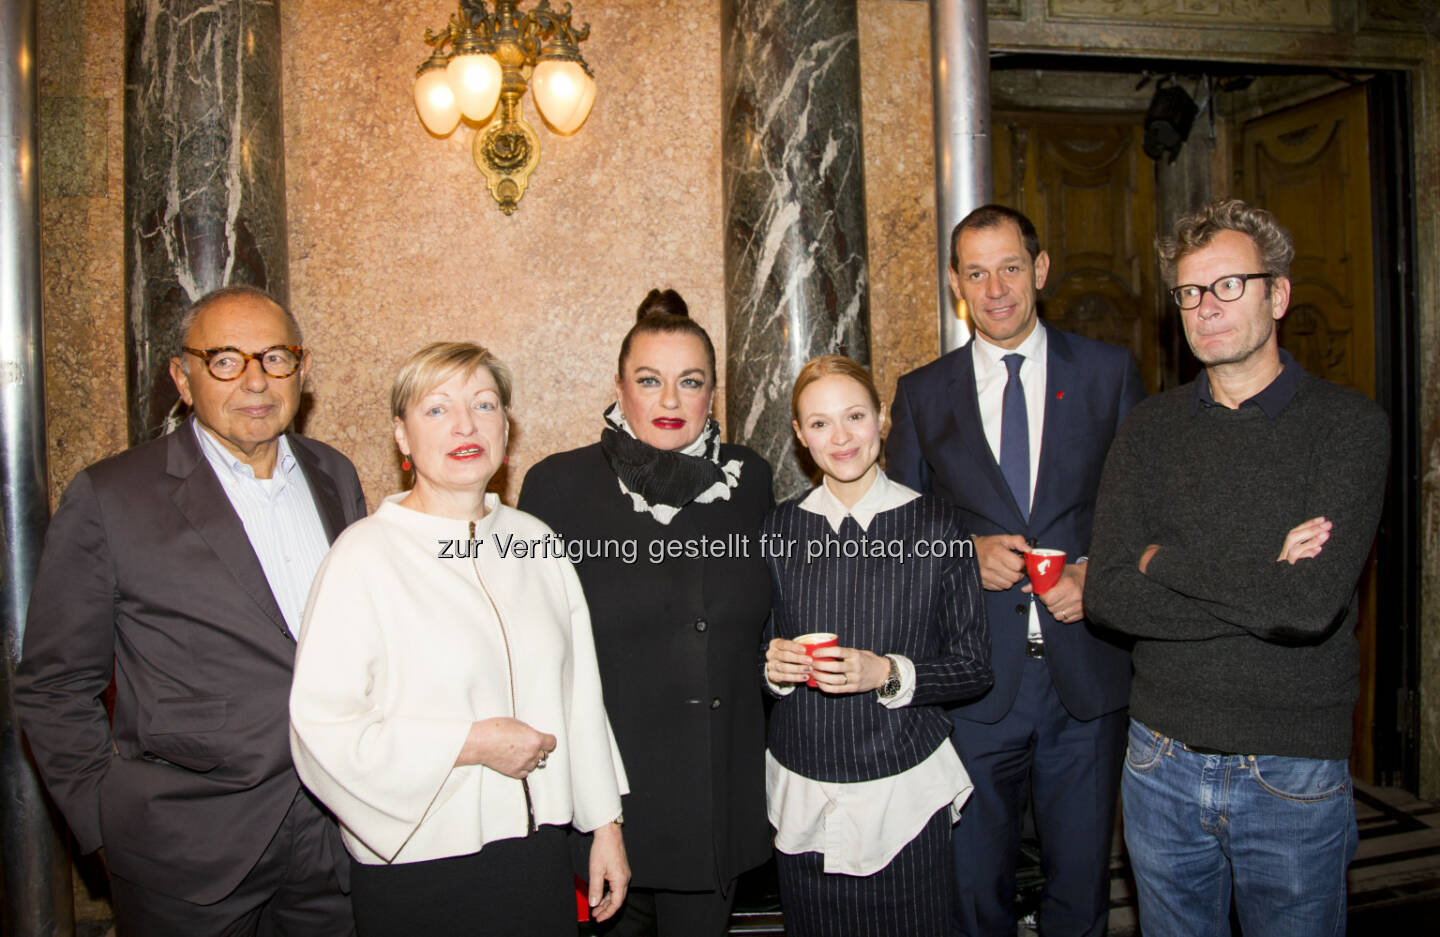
x=447, y=705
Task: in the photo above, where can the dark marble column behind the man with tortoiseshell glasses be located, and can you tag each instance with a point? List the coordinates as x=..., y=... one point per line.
x=205, y=175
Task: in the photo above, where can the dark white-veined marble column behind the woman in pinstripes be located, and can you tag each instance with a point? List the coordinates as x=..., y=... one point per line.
x=797, y=273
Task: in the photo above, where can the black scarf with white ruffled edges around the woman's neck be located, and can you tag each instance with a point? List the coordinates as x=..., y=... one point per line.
x=660, y=481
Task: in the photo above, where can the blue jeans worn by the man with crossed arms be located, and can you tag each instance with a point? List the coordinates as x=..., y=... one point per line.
x=1277, y=831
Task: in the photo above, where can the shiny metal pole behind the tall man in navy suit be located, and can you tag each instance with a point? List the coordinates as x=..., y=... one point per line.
x=964, y=179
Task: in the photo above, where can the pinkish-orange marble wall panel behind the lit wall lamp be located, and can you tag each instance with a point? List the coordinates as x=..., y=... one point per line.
x=397, y=243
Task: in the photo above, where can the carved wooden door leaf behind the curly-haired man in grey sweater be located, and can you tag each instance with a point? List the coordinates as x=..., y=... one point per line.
x=1311, y=168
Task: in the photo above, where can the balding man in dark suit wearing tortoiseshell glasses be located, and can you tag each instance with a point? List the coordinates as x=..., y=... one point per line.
x=182, y=568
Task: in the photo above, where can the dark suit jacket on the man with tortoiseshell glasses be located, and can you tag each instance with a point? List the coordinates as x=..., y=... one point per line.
x=148, y=575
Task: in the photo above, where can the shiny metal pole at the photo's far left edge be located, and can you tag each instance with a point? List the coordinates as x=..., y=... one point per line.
x=37, y=880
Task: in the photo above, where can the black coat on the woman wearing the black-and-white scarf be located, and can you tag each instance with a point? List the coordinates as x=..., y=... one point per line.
x=678, y=646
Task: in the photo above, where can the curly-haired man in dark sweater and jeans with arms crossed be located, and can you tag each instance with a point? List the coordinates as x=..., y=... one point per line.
x=1232, y=528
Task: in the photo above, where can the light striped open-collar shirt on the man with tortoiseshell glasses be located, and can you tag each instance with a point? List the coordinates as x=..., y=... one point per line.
x=280, y=519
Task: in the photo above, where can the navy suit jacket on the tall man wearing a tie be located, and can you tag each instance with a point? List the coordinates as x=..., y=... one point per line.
x=938, y=445
